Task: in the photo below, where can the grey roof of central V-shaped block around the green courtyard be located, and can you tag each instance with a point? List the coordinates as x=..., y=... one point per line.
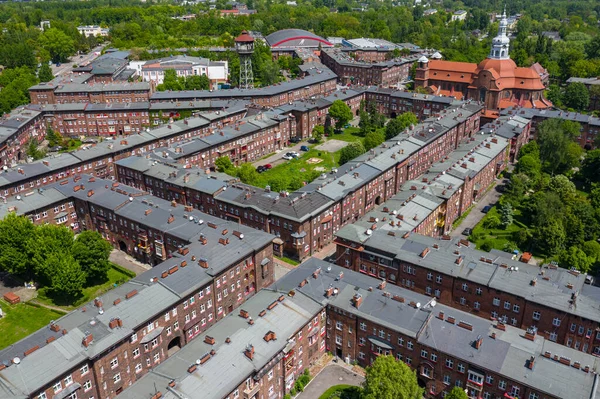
x=315, y=197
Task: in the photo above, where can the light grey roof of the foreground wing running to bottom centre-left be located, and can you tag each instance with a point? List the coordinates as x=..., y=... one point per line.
x=229, y=367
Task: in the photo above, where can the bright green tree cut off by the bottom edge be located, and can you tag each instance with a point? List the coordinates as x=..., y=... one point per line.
x=388, y=378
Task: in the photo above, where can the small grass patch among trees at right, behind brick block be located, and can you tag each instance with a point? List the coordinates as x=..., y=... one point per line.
x=498, y=238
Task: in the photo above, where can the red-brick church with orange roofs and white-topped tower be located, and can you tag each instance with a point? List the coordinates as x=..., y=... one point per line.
x=497, y=82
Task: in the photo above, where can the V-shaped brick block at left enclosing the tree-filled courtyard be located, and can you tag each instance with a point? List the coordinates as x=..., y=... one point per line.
x=210, y=268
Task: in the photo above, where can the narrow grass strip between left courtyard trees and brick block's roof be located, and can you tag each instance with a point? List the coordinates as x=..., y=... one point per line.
x=116, y=276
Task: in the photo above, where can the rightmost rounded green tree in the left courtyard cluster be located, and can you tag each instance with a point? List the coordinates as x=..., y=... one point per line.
x=91, y=251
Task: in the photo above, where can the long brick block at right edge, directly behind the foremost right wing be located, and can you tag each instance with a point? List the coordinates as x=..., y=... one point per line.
x=554, y=301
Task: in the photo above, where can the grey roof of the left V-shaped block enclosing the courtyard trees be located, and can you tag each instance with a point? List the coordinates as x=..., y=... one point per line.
x=201, y=257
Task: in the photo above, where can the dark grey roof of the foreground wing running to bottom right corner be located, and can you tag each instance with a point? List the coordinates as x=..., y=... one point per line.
x=502, y=349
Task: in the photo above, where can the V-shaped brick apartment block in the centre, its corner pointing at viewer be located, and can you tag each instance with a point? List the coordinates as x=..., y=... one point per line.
x=307, y=220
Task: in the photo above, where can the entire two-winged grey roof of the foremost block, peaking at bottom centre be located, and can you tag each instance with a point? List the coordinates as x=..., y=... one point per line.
x=204, y=365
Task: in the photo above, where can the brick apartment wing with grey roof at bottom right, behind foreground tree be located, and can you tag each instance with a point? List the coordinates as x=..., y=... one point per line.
x=368, y=317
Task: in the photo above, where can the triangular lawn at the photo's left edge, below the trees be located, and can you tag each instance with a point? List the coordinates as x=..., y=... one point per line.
x=21, y=320
